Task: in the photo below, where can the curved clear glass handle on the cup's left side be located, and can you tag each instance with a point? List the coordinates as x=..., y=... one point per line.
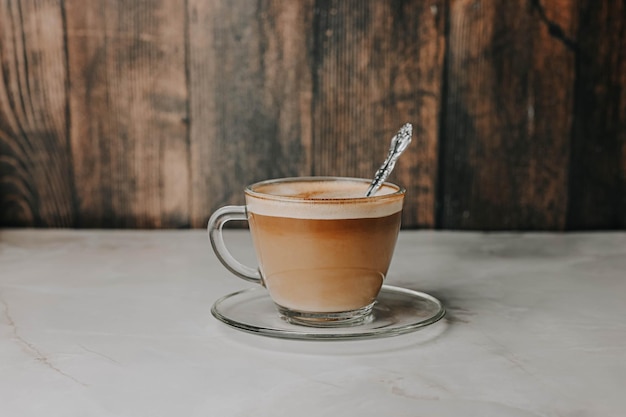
x=216, y=237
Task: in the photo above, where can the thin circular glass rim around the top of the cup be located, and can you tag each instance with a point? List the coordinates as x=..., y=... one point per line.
x=249, y=190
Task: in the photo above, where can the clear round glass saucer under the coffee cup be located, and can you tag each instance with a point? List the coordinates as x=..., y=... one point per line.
x=397, y=311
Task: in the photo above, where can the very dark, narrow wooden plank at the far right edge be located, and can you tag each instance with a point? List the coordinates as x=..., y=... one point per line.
x=597, y=184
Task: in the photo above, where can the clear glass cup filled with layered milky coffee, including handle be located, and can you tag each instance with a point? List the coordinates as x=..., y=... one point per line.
x=323, y=248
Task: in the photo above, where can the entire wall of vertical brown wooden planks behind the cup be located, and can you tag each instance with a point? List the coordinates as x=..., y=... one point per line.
x=151, y=114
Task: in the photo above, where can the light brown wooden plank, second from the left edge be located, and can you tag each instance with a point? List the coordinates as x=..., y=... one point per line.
x=128, y=109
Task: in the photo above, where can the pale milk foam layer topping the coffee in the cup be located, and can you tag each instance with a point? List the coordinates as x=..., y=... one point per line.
x=323, y=199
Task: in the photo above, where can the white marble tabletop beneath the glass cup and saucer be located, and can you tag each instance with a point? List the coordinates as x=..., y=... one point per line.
x=112, y=323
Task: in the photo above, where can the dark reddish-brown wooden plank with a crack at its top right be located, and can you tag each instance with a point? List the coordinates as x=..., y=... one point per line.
x=508, y=105
